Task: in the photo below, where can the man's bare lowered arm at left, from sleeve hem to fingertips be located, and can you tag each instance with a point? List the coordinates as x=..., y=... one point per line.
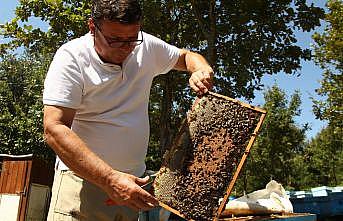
x=122, y=188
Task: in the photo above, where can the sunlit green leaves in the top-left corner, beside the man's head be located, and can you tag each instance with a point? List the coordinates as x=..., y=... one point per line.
x=66, y=19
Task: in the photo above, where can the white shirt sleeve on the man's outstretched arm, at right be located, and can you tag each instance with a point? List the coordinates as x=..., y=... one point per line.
x=165, y=55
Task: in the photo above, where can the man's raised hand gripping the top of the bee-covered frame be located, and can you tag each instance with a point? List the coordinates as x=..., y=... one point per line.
x=201, y=81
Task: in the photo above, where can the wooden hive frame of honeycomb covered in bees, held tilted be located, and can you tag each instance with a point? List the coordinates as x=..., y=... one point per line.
x=206, y=157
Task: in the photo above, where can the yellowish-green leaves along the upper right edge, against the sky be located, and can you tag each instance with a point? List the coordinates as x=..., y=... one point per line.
x=329, y=55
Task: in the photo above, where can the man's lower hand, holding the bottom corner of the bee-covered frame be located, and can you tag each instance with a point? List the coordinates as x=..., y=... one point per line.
x=124, y=189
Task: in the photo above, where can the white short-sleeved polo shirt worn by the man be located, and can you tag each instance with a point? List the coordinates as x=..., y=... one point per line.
x=111, y=102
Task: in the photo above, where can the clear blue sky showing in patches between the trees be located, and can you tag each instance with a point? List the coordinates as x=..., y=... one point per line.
x=306, y=83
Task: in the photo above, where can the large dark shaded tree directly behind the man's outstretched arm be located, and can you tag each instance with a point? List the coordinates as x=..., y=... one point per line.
x=237, y=37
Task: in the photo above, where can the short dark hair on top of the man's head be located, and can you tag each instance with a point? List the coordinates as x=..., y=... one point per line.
x=123, y=11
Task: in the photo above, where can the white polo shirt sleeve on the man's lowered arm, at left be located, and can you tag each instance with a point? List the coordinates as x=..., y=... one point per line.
x=63, y=84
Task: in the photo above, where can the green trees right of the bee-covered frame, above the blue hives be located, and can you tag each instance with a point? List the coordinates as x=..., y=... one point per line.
x=281, y=152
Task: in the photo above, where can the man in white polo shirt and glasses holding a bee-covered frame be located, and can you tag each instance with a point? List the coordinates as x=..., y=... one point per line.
x=96, y=112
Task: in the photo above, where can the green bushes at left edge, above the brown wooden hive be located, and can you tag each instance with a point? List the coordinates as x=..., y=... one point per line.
x=21, y=84
